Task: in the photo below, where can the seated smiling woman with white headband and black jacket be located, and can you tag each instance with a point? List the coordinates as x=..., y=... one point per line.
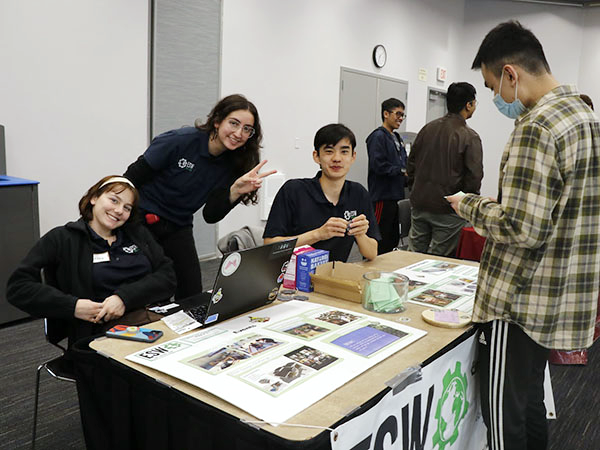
x=101, y=266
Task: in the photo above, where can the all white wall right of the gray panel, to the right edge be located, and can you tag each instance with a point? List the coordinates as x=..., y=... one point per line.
x=295, y=50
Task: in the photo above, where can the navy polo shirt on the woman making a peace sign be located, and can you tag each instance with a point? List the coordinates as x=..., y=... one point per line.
x=187, y=173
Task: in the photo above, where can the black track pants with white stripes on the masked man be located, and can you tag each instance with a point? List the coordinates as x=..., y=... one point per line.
x=511, y=380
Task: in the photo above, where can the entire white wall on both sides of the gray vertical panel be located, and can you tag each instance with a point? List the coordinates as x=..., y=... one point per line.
x=73, y=84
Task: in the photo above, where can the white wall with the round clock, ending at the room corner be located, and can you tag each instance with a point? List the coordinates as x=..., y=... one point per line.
x=286, y=57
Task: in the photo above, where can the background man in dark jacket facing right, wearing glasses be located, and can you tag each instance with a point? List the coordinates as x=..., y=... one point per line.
x=387, y=170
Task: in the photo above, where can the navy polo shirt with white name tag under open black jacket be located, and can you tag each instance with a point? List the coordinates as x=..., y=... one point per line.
x=113, y=265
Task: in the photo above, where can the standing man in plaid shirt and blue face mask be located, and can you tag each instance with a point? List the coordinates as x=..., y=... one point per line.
x=540, y=268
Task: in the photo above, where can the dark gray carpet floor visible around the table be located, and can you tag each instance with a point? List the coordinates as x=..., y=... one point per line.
x=59, y=427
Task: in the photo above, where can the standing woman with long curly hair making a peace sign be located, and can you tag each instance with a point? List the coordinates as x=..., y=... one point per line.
x=215, y=163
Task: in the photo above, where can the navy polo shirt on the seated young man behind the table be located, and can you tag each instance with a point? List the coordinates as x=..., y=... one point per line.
x=301, y=206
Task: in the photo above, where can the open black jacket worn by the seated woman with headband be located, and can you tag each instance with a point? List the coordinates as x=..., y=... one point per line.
x=66, y=251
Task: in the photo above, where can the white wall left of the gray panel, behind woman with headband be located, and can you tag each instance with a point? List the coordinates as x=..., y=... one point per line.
x=73, y=94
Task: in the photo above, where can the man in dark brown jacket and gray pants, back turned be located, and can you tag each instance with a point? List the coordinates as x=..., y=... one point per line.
x=445, y=158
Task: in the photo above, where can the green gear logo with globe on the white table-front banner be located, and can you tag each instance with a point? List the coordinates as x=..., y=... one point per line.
x=451, y=408
